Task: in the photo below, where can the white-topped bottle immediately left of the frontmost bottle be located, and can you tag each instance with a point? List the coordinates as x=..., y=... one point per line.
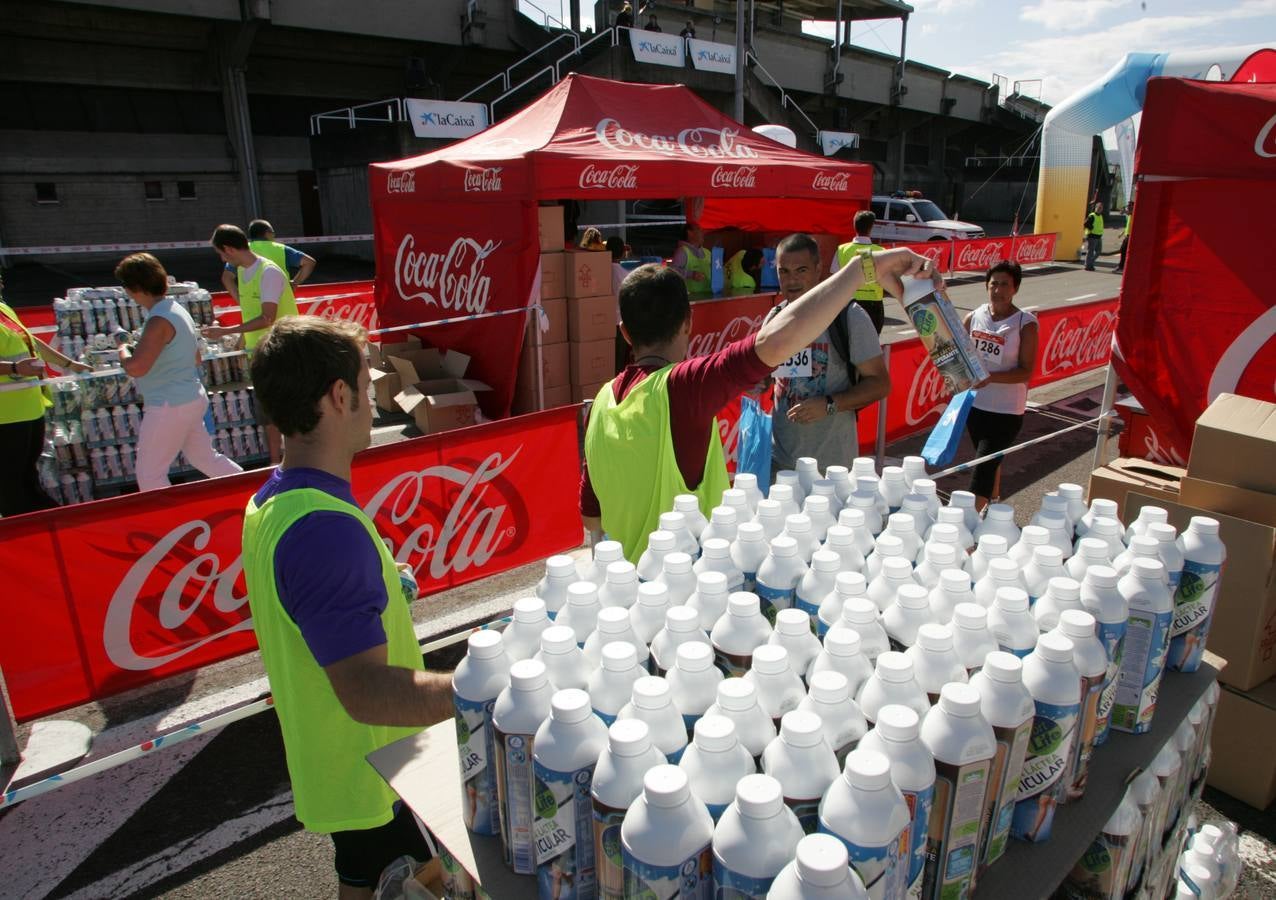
x=755, y=839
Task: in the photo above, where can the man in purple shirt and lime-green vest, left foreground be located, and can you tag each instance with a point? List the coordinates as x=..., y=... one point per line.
x=329, y=607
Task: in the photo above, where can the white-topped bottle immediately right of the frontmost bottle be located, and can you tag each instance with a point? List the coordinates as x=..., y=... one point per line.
x=868, y=814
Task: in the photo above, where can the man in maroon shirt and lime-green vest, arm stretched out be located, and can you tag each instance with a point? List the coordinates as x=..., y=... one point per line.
x=653, y=433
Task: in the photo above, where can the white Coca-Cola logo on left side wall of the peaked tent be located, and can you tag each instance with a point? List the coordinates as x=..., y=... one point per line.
x=454, y=280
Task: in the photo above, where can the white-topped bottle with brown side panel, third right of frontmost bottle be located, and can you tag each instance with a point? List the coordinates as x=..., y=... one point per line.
x=965, y=751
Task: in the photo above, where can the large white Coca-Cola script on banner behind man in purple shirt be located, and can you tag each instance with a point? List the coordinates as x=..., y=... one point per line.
x=470, y=534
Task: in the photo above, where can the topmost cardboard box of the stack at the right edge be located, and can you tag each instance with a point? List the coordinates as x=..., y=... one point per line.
x=1236, y=444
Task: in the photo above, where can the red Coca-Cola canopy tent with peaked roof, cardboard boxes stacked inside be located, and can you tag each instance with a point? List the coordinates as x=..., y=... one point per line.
x=456, y=230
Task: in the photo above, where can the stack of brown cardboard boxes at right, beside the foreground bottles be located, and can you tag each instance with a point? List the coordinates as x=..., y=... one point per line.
x=1231, y=477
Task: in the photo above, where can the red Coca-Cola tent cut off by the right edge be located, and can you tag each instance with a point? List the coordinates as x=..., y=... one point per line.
x=1198, y=315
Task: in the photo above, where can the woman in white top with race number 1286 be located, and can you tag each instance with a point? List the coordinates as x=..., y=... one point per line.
x=1006, y=340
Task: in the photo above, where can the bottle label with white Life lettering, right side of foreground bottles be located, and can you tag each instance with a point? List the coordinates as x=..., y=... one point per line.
x=1048, y=760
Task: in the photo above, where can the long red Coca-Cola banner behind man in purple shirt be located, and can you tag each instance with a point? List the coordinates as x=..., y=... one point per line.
x=108, y=597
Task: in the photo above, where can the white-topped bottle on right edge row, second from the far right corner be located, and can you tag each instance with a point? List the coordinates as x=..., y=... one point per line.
x=1148, y=639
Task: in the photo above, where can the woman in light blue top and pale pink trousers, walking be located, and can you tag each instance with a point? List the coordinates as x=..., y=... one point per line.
x=165, y=363
